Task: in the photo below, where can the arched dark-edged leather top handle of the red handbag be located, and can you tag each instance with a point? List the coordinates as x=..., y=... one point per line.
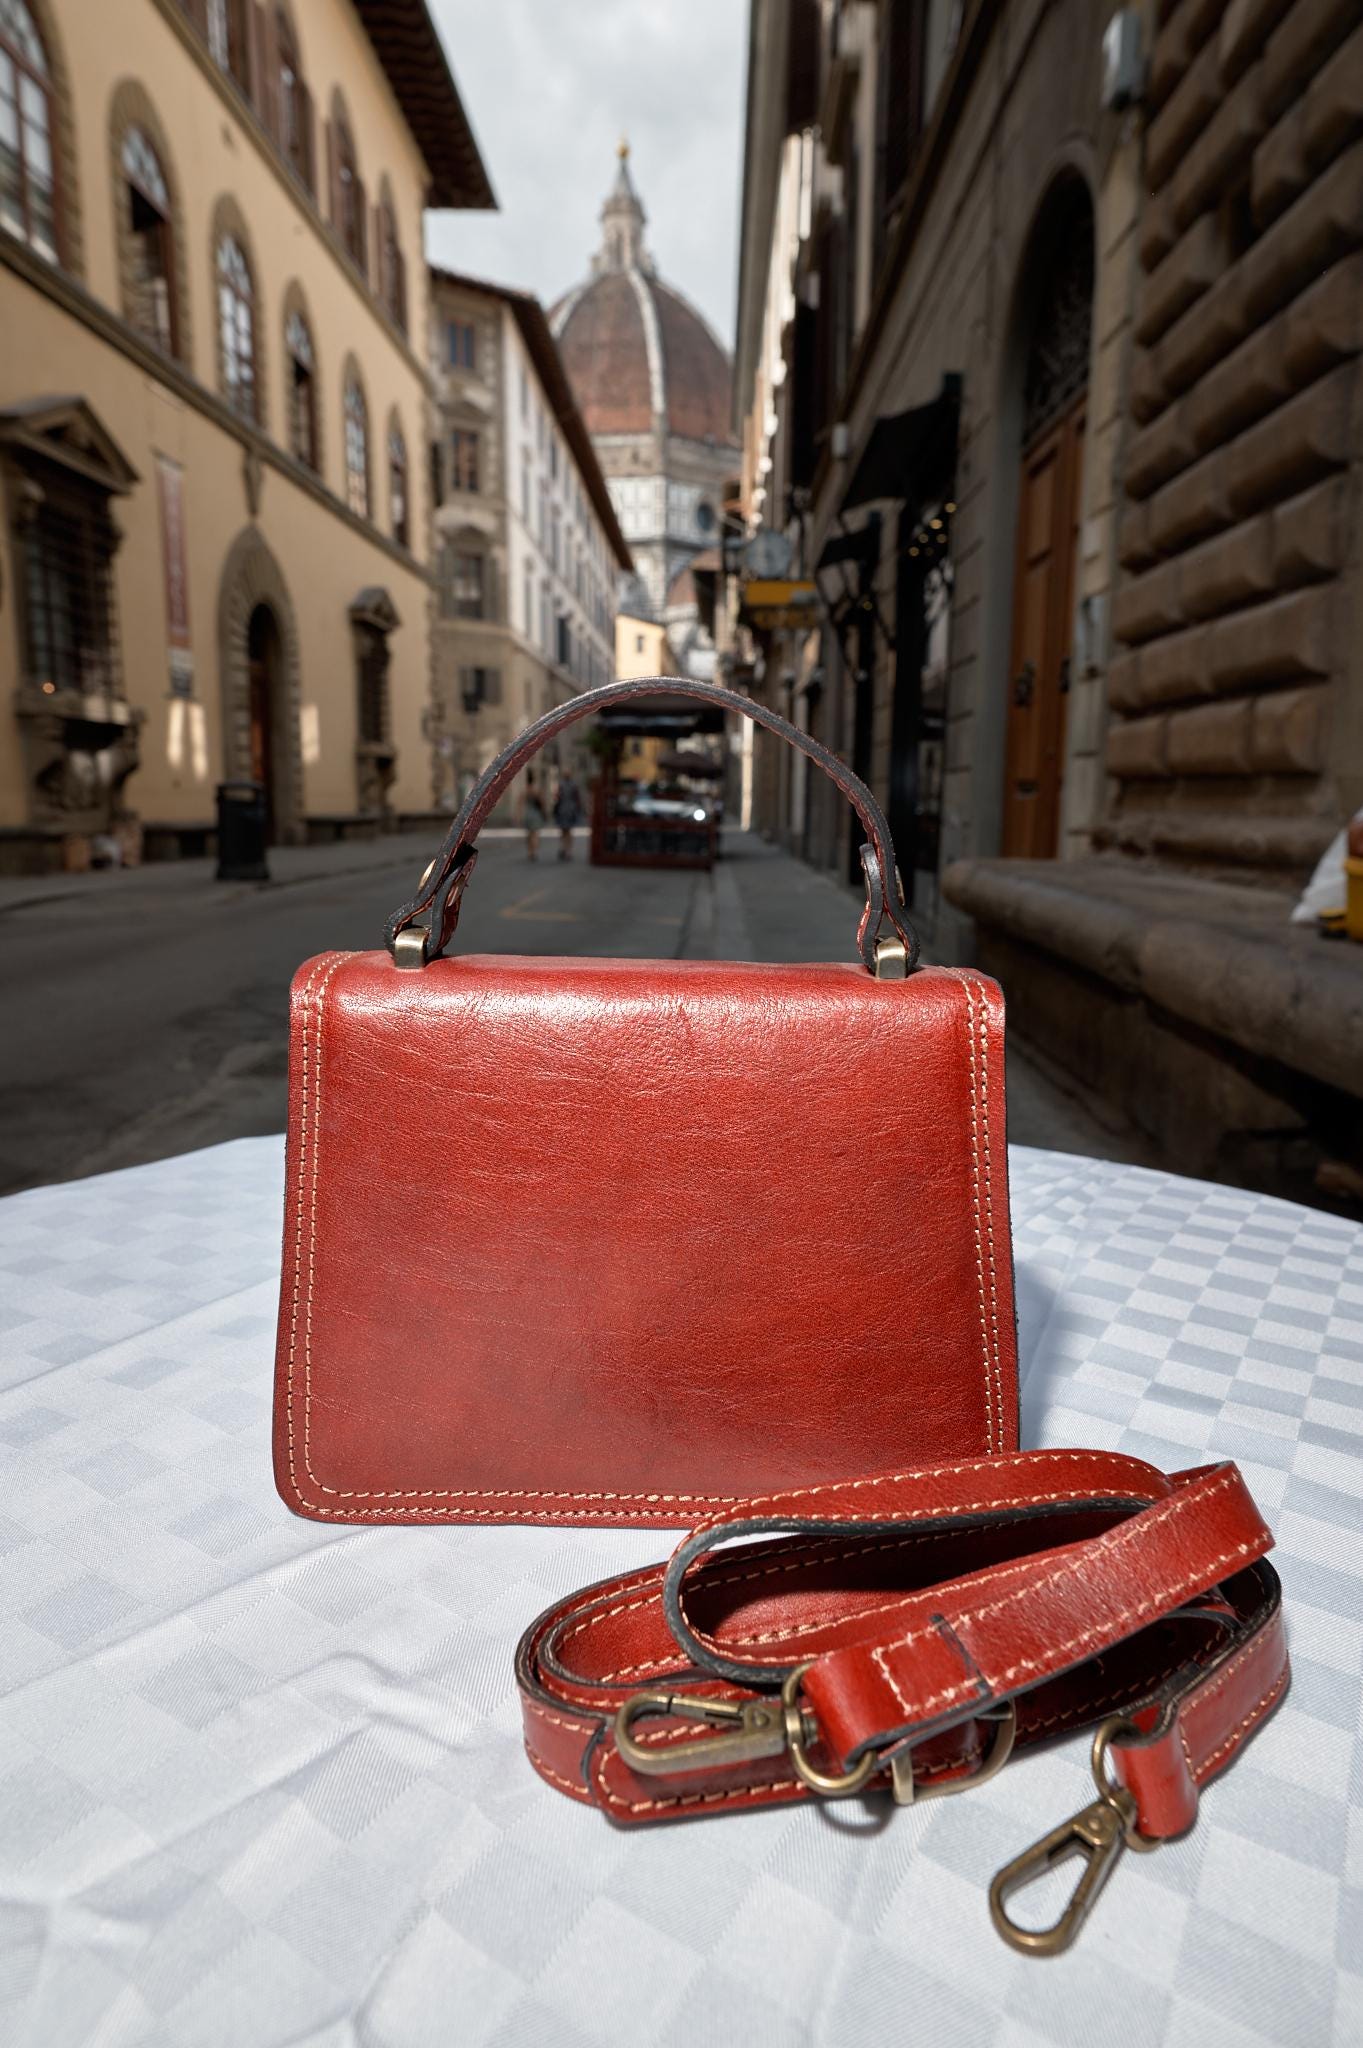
x=431, y=916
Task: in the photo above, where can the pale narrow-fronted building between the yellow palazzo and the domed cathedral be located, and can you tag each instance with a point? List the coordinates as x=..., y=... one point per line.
x=529, y=550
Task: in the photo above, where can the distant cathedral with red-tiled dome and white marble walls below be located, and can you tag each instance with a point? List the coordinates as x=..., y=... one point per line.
x=654, y=386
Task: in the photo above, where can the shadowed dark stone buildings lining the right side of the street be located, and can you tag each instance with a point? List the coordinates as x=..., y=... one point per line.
x=1049, y=378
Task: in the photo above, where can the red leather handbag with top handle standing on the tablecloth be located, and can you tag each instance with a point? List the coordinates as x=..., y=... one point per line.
x=576, y=1240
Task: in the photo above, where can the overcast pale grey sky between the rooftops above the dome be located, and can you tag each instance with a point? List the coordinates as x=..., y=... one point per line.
x=552, y=87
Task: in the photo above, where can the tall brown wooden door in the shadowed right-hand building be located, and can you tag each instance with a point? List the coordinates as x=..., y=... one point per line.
x=1043, y=634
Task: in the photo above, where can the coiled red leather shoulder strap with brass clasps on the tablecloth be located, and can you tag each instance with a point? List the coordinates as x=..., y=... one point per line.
x=916, y=1629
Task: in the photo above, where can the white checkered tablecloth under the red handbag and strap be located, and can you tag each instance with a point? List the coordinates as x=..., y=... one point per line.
x=261, y=1781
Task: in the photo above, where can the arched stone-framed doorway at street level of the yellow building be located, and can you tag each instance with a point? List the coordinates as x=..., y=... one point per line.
x=259, y=681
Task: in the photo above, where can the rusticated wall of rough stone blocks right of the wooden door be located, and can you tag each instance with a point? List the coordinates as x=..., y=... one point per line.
x=1237, y=687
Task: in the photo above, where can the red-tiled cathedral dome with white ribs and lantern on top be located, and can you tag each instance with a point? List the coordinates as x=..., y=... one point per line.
x=633, y=349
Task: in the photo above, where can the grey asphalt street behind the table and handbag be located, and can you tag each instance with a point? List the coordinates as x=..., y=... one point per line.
x=144, y=1011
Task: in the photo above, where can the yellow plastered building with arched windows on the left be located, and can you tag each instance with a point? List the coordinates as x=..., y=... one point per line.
x=216, y=540
